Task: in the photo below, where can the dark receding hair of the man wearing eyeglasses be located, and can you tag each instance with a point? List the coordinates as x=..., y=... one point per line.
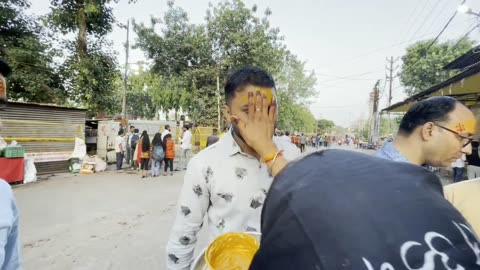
x=434, y=109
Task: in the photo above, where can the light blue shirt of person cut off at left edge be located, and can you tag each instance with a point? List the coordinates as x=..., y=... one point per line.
x=9, y=241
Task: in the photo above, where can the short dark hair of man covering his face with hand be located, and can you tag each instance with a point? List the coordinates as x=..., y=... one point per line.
x=242, y=77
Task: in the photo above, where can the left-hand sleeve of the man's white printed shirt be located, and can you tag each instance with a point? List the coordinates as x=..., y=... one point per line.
x=191, y=209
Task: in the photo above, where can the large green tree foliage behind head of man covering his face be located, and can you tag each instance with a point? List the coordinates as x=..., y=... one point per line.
x=187, y=58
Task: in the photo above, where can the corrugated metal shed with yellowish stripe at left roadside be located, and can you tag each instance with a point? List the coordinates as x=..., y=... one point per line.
x=47, y=132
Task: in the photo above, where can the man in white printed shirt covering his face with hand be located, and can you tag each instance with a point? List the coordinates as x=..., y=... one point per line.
x=229, y=181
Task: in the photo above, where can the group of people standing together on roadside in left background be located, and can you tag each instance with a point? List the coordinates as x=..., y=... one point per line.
x=147, y=155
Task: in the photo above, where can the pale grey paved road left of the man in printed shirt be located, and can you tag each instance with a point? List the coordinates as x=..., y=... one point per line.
x=103, y=221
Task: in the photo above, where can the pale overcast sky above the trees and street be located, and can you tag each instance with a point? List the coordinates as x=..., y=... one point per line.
x=345, y=42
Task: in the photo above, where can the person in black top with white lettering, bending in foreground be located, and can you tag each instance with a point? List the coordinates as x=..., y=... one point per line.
x=378, y=214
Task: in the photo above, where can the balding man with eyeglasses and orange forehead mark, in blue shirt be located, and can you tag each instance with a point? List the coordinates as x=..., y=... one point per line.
x=435, y=131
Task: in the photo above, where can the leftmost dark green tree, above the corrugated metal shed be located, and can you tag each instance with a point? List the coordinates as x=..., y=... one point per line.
x=26, y=47
